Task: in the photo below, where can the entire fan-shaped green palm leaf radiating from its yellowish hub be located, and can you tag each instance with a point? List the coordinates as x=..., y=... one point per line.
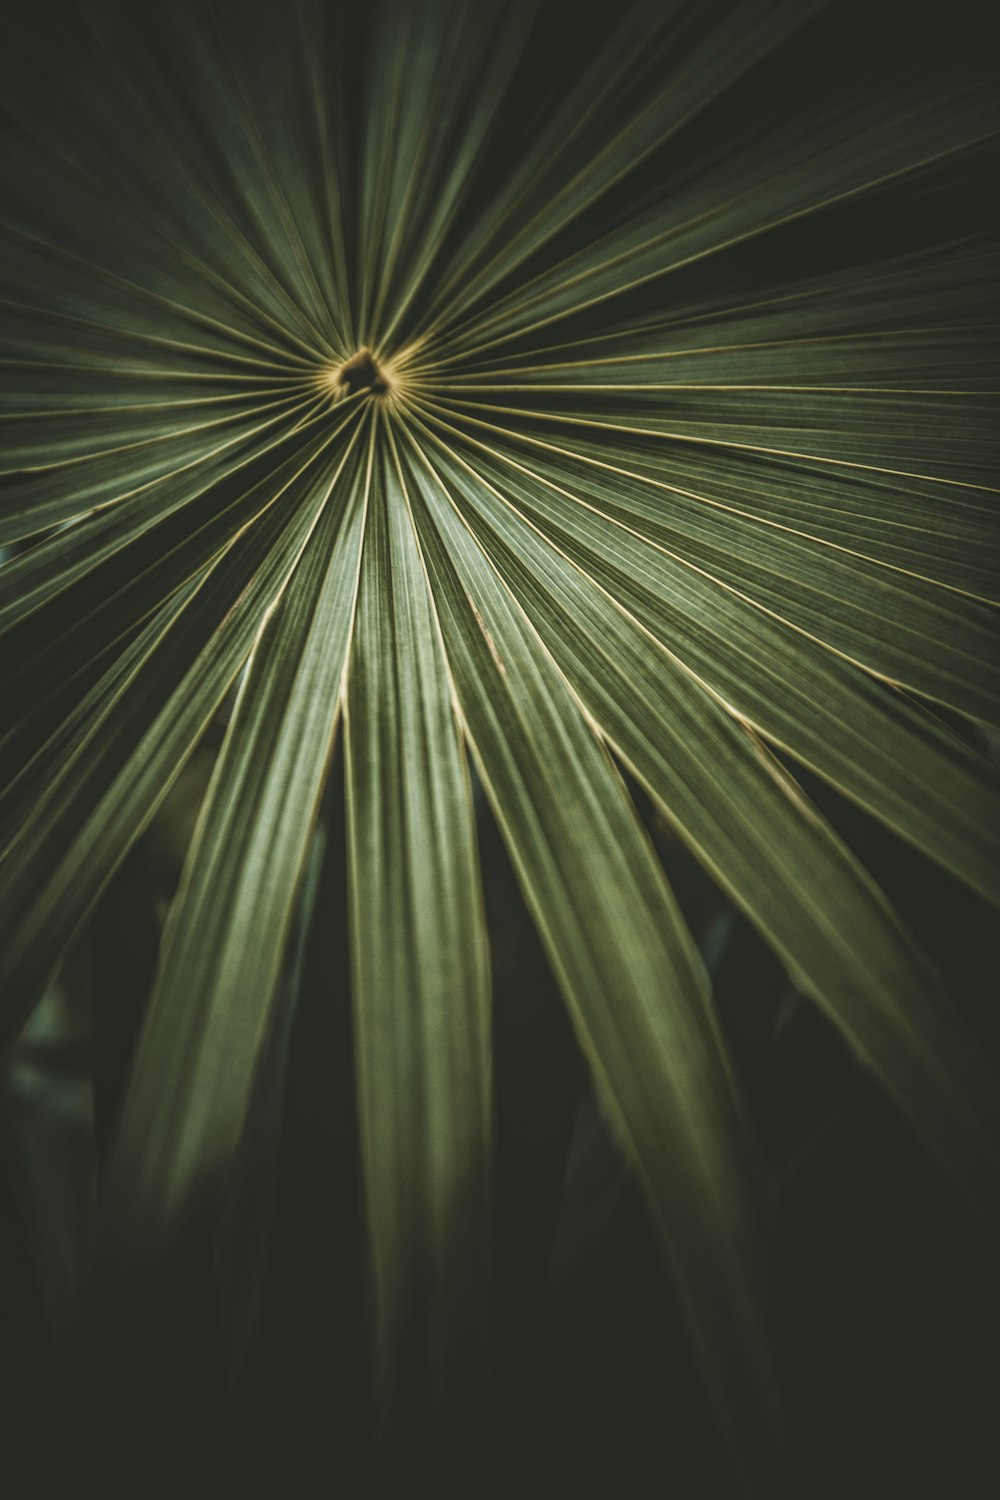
x=419, y=370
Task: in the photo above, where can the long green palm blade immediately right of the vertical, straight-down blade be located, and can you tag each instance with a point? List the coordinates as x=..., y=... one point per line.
x=612, y=929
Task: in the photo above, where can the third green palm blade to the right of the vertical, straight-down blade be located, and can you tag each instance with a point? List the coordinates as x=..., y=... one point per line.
x=866, y=740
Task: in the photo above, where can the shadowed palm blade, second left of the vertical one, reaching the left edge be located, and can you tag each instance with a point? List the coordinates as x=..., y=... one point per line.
x=136, y=743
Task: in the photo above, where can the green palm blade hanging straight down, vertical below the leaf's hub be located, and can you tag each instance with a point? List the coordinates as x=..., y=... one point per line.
x=421, y=997
